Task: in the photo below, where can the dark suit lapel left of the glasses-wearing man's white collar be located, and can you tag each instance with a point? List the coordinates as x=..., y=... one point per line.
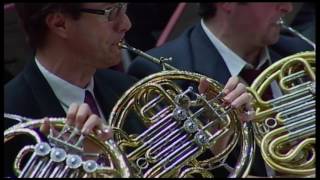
x=45, y=98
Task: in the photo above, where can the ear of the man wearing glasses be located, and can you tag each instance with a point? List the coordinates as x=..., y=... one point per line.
x=57, y=23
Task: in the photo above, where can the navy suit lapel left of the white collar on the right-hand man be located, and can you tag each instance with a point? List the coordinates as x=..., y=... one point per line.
x=206, y=58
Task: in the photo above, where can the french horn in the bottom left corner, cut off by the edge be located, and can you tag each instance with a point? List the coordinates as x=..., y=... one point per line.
x=62, y=155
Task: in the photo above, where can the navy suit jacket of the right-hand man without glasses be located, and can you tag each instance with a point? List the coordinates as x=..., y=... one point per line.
x=193, y=51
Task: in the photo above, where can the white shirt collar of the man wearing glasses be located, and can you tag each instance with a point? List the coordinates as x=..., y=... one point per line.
x=66, y=92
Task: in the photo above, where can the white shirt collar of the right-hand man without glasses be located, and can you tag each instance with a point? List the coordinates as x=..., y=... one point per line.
x=233, y=61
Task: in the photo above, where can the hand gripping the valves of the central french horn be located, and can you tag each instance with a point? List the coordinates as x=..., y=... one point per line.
x=236, y=95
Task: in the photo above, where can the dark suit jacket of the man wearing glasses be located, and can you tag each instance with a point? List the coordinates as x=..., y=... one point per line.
x=30, y=95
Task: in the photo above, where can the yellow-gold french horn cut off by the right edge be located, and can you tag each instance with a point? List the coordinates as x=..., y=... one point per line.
x=284, y=126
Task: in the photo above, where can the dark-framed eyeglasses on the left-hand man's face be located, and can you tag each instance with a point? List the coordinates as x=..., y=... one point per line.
x=111, y=13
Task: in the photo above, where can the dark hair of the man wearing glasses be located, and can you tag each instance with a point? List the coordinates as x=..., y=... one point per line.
x=33, y=18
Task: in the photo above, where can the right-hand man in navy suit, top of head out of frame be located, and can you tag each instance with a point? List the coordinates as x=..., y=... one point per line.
x=194, y=51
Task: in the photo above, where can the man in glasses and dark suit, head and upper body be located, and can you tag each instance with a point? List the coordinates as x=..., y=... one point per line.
x=70, y=57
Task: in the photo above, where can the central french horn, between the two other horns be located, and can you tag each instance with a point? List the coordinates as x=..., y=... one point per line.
x=179, y=126
